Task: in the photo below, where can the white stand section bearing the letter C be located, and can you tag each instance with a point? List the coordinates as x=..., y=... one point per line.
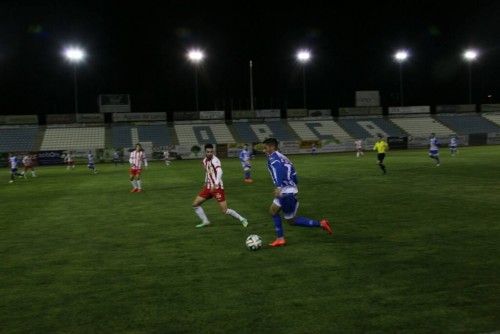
x=320, y=129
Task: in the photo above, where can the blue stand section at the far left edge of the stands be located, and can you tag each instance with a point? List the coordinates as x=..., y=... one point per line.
x=18, y=139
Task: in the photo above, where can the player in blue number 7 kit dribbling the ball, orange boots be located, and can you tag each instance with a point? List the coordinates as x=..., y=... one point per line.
x=285, y=193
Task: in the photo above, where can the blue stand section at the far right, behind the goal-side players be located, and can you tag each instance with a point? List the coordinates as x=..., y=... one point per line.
x=467, y=124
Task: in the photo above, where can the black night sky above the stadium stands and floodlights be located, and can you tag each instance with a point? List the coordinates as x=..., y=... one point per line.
x=140, y=49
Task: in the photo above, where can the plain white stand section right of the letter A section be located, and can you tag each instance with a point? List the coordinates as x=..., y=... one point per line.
x=421, y=126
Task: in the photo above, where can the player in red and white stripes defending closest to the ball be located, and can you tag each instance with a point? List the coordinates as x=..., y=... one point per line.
x=213, y=187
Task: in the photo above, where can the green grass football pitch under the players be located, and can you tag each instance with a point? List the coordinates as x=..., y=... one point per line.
x=416, y=250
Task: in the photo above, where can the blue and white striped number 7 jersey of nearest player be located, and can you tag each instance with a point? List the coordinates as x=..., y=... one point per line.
x=283, y=173
